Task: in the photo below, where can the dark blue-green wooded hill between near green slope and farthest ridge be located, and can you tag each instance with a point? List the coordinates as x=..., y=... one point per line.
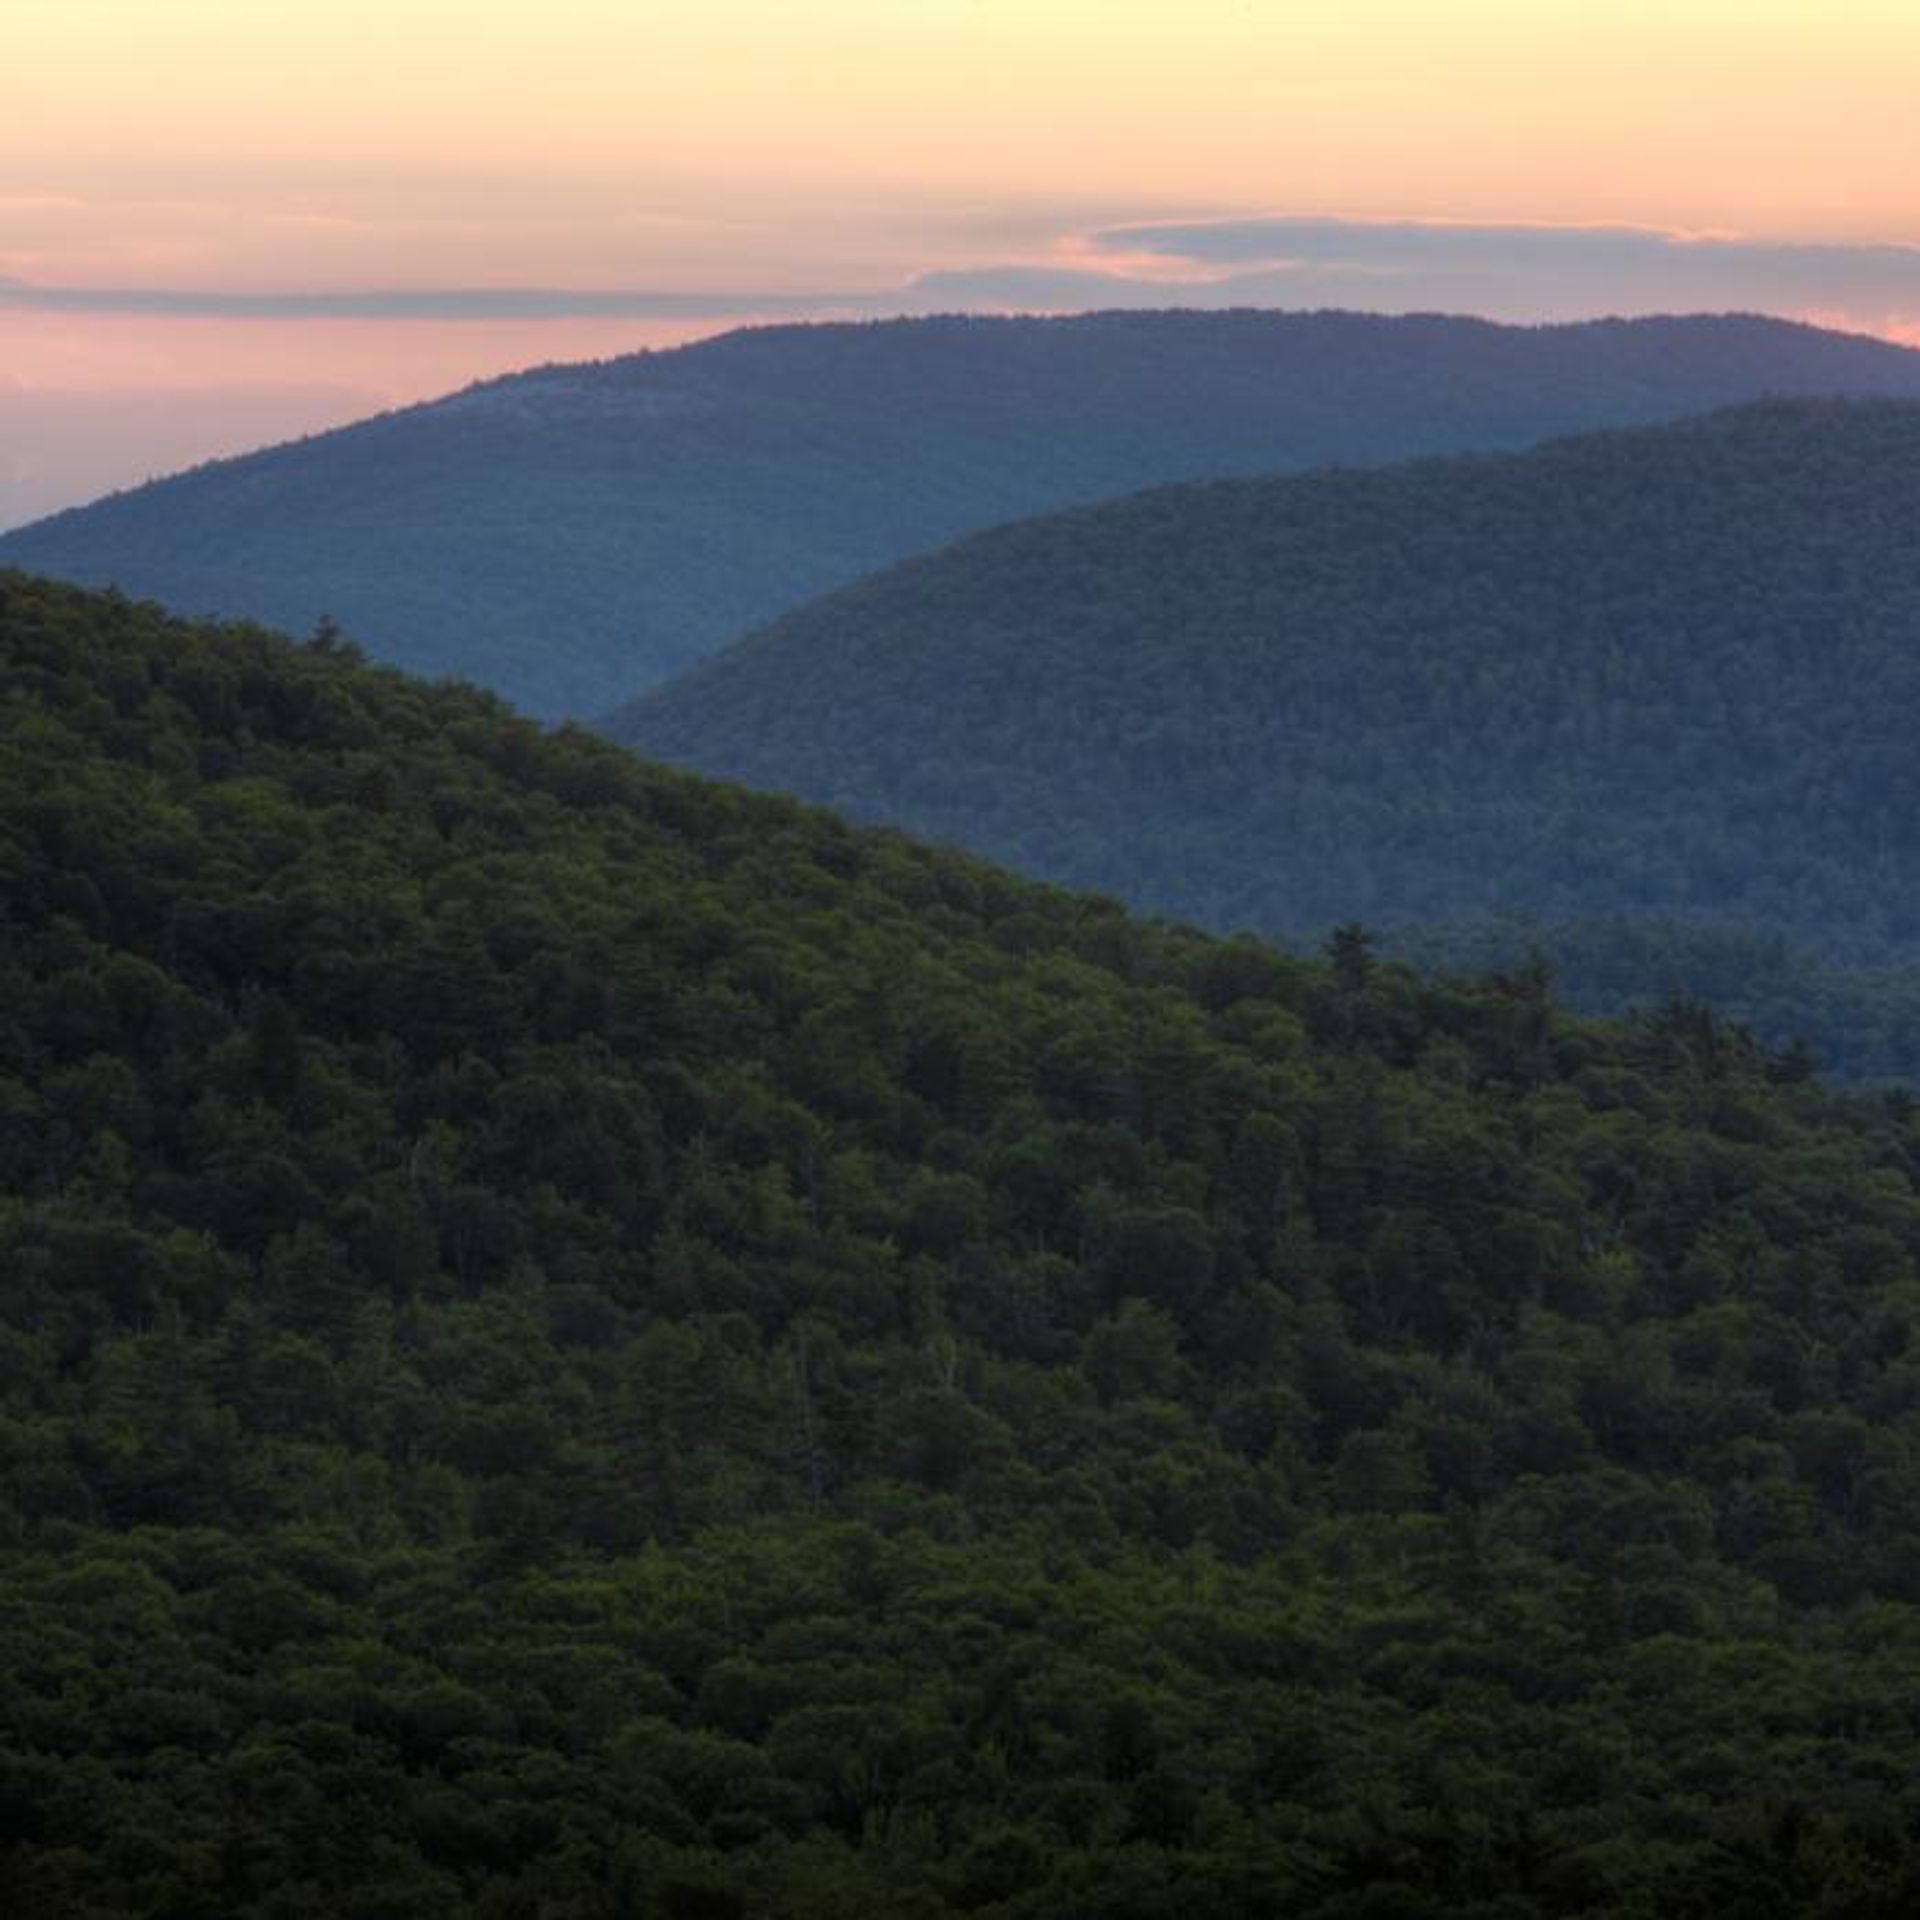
x=1658, y=673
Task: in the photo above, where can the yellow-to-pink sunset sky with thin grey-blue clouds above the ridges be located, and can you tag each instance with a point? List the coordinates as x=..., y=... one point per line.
x=231, y=222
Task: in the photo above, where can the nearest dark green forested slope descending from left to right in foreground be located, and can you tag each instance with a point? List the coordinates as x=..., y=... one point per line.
x=585, y=1343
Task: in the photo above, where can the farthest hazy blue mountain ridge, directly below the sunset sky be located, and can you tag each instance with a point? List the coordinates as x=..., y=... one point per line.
x=573, y=535
